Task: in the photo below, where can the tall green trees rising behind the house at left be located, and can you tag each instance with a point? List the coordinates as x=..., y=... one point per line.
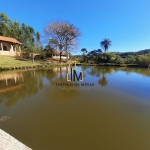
x=26, y=34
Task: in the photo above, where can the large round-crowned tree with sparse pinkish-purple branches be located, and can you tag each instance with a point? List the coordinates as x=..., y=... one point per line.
x=62, y=35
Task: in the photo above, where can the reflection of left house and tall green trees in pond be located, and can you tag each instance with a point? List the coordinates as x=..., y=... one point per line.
x=19, y=85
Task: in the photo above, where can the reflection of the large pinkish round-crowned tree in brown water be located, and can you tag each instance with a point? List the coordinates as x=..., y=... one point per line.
x=60, y=93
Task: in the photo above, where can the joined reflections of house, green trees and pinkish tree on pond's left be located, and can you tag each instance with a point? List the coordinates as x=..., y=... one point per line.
x=16, y=86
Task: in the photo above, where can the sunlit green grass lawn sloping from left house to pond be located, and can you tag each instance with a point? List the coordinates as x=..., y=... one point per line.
x=9, y=61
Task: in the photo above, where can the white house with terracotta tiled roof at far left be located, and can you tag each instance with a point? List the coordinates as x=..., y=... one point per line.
x=8, y=46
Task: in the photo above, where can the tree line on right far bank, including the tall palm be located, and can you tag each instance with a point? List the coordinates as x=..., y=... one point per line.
x=141, y=57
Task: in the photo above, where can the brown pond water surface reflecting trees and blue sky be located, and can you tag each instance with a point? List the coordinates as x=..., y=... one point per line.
x=114, y=114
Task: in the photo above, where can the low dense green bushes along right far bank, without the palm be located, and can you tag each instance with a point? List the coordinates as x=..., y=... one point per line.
x=115, y=58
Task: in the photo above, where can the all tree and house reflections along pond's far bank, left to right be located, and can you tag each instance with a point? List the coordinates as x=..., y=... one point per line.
x=15, y=86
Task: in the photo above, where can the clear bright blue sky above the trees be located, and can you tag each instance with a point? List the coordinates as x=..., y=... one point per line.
x=125, y=22
